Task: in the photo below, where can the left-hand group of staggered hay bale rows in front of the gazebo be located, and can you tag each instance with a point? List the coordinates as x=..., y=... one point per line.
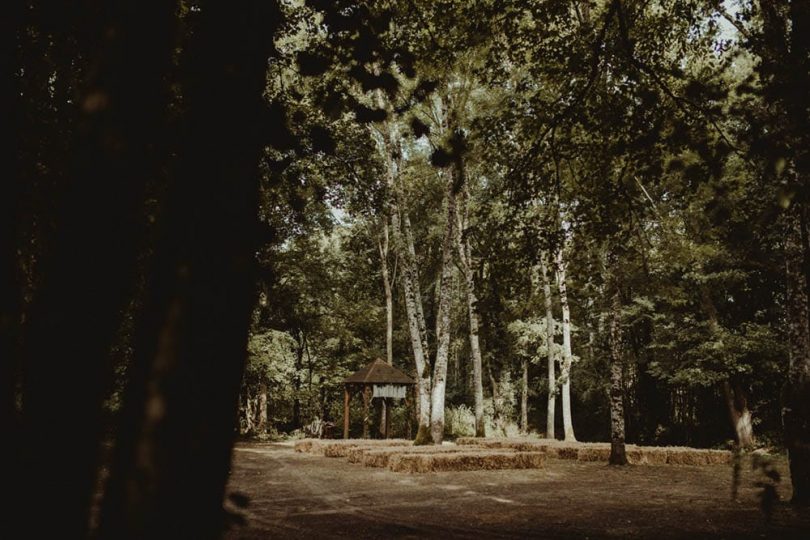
x=402, y=456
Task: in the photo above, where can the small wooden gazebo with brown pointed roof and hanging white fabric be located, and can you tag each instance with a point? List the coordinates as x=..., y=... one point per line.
x=377, y=380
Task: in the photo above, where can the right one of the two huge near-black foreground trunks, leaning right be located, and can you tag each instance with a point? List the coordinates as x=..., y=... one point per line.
x=173, y=455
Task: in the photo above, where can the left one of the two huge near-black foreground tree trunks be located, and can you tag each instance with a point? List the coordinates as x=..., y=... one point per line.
x=89, y=272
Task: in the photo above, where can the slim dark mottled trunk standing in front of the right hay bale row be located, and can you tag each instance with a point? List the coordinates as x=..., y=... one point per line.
x=617, y=453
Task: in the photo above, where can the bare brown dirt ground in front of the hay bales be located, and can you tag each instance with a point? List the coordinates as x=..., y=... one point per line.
x=294, y=495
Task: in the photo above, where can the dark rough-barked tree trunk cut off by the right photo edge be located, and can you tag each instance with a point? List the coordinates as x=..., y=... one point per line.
x=796, y=394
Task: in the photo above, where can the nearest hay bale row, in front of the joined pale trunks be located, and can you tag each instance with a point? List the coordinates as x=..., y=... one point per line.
x=465, y=461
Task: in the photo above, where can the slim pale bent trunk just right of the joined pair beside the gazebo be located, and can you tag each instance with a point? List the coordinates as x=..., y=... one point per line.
x=465, y=258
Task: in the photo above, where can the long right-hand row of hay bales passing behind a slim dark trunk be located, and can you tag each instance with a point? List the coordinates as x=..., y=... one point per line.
x=638, y=455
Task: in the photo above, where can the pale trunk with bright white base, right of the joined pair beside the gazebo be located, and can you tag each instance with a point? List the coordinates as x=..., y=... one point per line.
x=443, y=322
